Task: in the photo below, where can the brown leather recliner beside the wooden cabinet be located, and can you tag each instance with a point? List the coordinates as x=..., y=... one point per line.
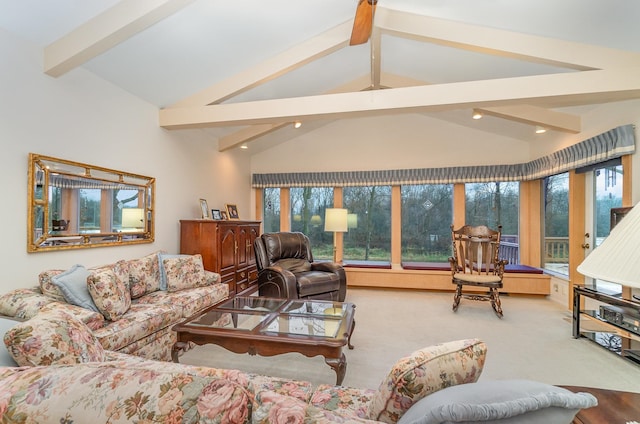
x=286, y=269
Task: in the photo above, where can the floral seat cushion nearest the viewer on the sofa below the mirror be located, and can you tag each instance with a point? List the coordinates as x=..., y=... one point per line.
x=138, y=322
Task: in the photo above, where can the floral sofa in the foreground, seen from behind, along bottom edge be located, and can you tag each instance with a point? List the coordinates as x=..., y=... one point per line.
x=74, y=379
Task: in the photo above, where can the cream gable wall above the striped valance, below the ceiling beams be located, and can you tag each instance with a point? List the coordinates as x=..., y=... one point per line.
x=389, y=142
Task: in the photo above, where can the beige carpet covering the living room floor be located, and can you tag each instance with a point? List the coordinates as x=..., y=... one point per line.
x=532, y=341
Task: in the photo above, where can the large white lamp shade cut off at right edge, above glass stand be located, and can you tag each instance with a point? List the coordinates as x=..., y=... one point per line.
x=616, y=259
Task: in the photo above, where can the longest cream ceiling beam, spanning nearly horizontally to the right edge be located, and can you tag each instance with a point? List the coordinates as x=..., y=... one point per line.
x=566, y=89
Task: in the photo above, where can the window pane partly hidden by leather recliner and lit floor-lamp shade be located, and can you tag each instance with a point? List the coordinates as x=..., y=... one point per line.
x=307, y=216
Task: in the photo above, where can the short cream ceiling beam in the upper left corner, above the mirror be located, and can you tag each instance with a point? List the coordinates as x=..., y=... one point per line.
x=105, y=31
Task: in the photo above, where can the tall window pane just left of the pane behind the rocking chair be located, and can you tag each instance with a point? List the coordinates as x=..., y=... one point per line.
x=426, y=221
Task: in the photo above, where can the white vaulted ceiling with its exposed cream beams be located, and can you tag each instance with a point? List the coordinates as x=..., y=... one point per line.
x=242, y=70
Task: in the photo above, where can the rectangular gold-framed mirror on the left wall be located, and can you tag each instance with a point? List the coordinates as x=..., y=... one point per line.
x=73, y=205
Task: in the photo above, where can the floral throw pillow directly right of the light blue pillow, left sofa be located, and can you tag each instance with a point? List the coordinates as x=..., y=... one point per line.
x=109, y=293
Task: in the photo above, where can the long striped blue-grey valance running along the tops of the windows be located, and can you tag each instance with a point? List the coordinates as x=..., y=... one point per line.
x=612, y=144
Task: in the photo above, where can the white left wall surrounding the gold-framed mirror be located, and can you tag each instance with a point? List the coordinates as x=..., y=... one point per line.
x=83, y=118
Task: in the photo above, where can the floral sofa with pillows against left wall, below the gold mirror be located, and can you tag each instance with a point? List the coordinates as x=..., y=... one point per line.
x=130, y=306
